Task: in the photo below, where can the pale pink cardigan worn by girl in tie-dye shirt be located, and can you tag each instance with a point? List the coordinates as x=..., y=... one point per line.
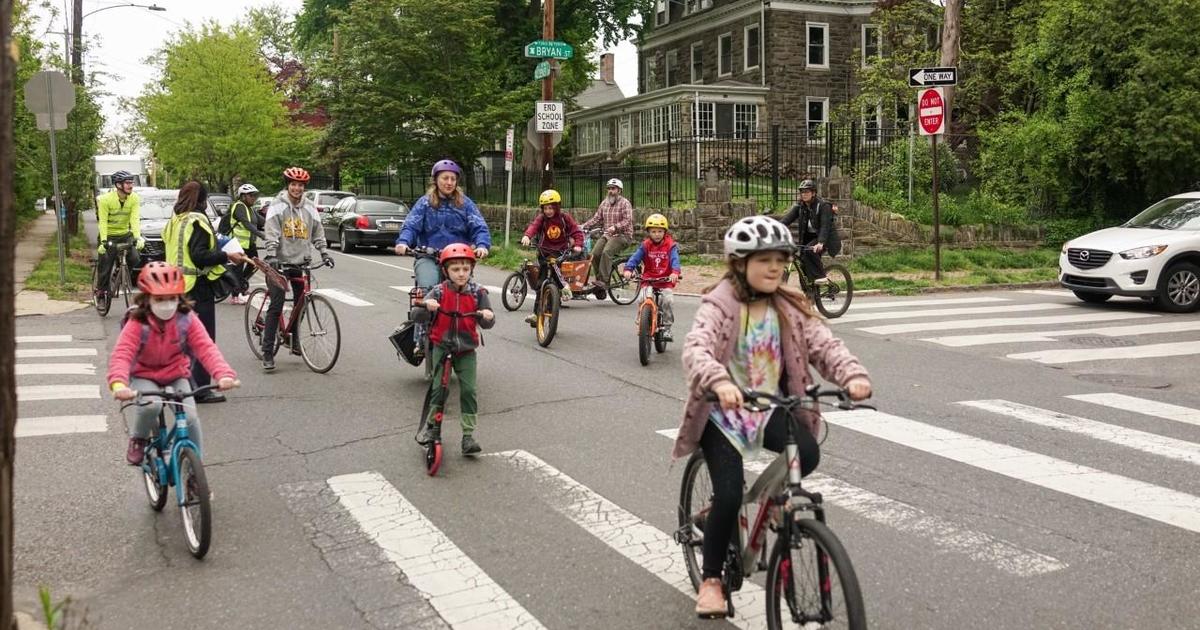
x=710, y=346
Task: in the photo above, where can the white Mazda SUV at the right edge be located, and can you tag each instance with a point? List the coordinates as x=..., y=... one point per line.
x=1155, y=256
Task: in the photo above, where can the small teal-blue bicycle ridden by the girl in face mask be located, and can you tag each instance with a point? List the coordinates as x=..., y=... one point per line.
x=173, y=460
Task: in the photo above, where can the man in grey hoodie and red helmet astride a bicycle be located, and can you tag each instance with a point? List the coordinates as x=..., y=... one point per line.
x=293, y=231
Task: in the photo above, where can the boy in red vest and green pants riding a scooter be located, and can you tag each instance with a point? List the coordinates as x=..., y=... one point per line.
x=454, y=332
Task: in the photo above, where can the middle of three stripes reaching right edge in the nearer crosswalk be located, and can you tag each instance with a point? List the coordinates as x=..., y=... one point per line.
x=1132, y=439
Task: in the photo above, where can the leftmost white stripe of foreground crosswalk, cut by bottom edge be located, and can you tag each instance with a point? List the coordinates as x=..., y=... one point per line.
x=454, y=585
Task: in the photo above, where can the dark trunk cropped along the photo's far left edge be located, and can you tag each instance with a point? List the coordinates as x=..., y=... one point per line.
x=8, y=316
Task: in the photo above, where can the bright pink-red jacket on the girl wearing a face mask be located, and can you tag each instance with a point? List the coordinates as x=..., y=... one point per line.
x=163, y=361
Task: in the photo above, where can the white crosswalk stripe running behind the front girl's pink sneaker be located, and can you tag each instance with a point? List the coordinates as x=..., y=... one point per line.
x=629, y=536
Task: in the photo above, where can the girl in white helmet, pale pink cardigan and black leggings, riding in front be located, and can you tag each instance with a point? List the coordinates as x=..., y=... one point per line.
x=752, y=333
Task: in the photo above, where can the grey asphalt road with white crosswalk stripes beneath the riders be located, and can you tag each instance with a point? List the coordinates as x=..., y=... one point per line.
x=981, y=496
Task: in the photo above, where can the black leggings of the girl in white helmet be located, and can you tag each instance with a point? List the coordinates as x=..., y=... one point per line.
x=729, y=479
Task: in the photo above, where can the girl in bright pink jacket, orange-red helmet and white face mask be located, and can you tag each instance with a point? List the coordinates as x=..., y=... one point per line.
x=154, y=350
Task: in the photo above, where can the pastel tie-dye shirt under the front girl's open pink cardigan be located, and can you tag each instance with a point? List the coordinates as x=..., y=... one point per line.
x=758, y=364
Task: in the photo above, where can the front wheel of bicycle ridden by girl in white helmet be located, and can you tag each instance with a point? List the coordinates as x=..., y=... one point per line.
x=812, y=581
